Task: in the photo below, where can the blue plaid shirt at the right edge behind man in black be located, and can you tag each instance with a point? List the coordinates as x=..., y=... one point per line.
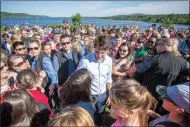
x=183, y=47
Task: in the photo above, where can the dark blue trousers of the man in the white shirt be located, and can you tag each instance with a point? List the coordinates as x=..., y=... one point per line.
x=100, y=104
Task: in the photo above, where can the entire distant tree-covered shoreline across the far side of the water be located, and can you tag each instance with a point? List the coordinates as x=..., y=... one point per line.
x=182, y=19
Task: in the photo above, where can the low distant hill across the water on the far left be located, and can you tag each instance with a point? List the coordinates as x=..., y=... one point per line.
x=19, y=15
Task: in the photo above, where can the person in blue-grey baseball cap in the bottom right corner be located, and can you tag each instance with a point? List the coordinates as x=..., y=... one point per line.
x=176, y=102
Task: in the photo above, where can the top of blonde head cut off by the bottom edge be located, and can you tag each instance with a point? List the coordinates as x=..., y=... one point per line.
x=72, y=117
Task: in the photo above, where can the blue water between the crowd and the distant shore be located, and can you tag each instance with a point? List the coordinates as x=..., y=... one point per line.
x=97, y=21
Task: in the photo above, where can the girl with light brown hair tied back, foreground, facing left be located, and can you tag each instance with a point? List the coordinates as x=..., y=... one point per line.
x=130, y=104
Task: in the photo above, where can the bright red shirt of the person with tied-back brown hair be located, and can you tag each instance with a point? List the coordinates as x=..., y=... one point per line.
x=40, y=97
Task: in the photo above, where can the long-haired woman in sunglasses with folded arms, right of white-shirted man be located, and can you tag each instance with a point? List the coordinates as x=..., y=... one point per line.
x=122, y=62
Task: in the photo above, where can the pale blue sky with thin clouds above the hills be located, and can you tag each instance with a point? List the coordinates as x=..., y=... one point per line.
x=94, y=8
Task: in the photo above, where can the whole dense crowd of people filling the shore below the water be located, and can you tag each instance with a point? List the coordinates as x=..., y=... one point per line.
x=67, y=77
